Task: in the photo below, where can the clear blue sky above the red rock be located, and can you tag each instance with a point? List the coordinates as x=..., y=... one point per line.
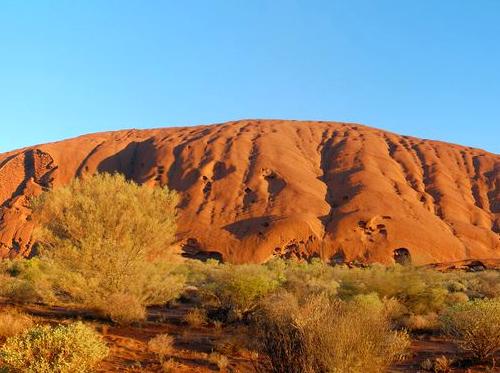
x=428, y=68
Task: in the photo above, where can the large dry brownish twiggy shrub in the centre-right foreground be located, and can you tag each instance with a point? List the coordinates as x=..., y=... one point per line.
x=323, y=335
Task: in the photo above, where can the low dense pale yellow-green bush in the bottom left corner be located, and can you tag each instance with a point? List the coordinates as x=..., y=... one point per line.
x=75, y=348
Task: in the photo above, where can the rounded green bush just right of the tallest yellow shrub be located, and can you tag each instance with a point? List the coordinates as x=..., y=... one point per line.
x=236, y=288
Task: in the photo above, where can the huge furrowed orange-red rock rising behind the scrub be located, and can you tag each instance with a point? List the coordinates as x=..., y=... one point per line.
x=252, y=190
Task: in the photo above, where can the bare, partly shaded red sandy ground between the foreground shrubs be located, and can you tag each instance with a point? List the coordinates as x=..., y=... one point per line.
x=129, y=352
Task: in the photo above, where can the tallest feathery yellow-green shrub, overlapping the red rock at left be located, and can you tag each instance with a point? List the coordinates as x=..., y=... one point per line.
x=103, y=236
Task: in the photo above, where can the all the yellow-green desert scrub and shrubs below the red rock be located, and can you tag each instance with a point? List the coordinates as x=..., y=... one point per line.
x=103, y=248
